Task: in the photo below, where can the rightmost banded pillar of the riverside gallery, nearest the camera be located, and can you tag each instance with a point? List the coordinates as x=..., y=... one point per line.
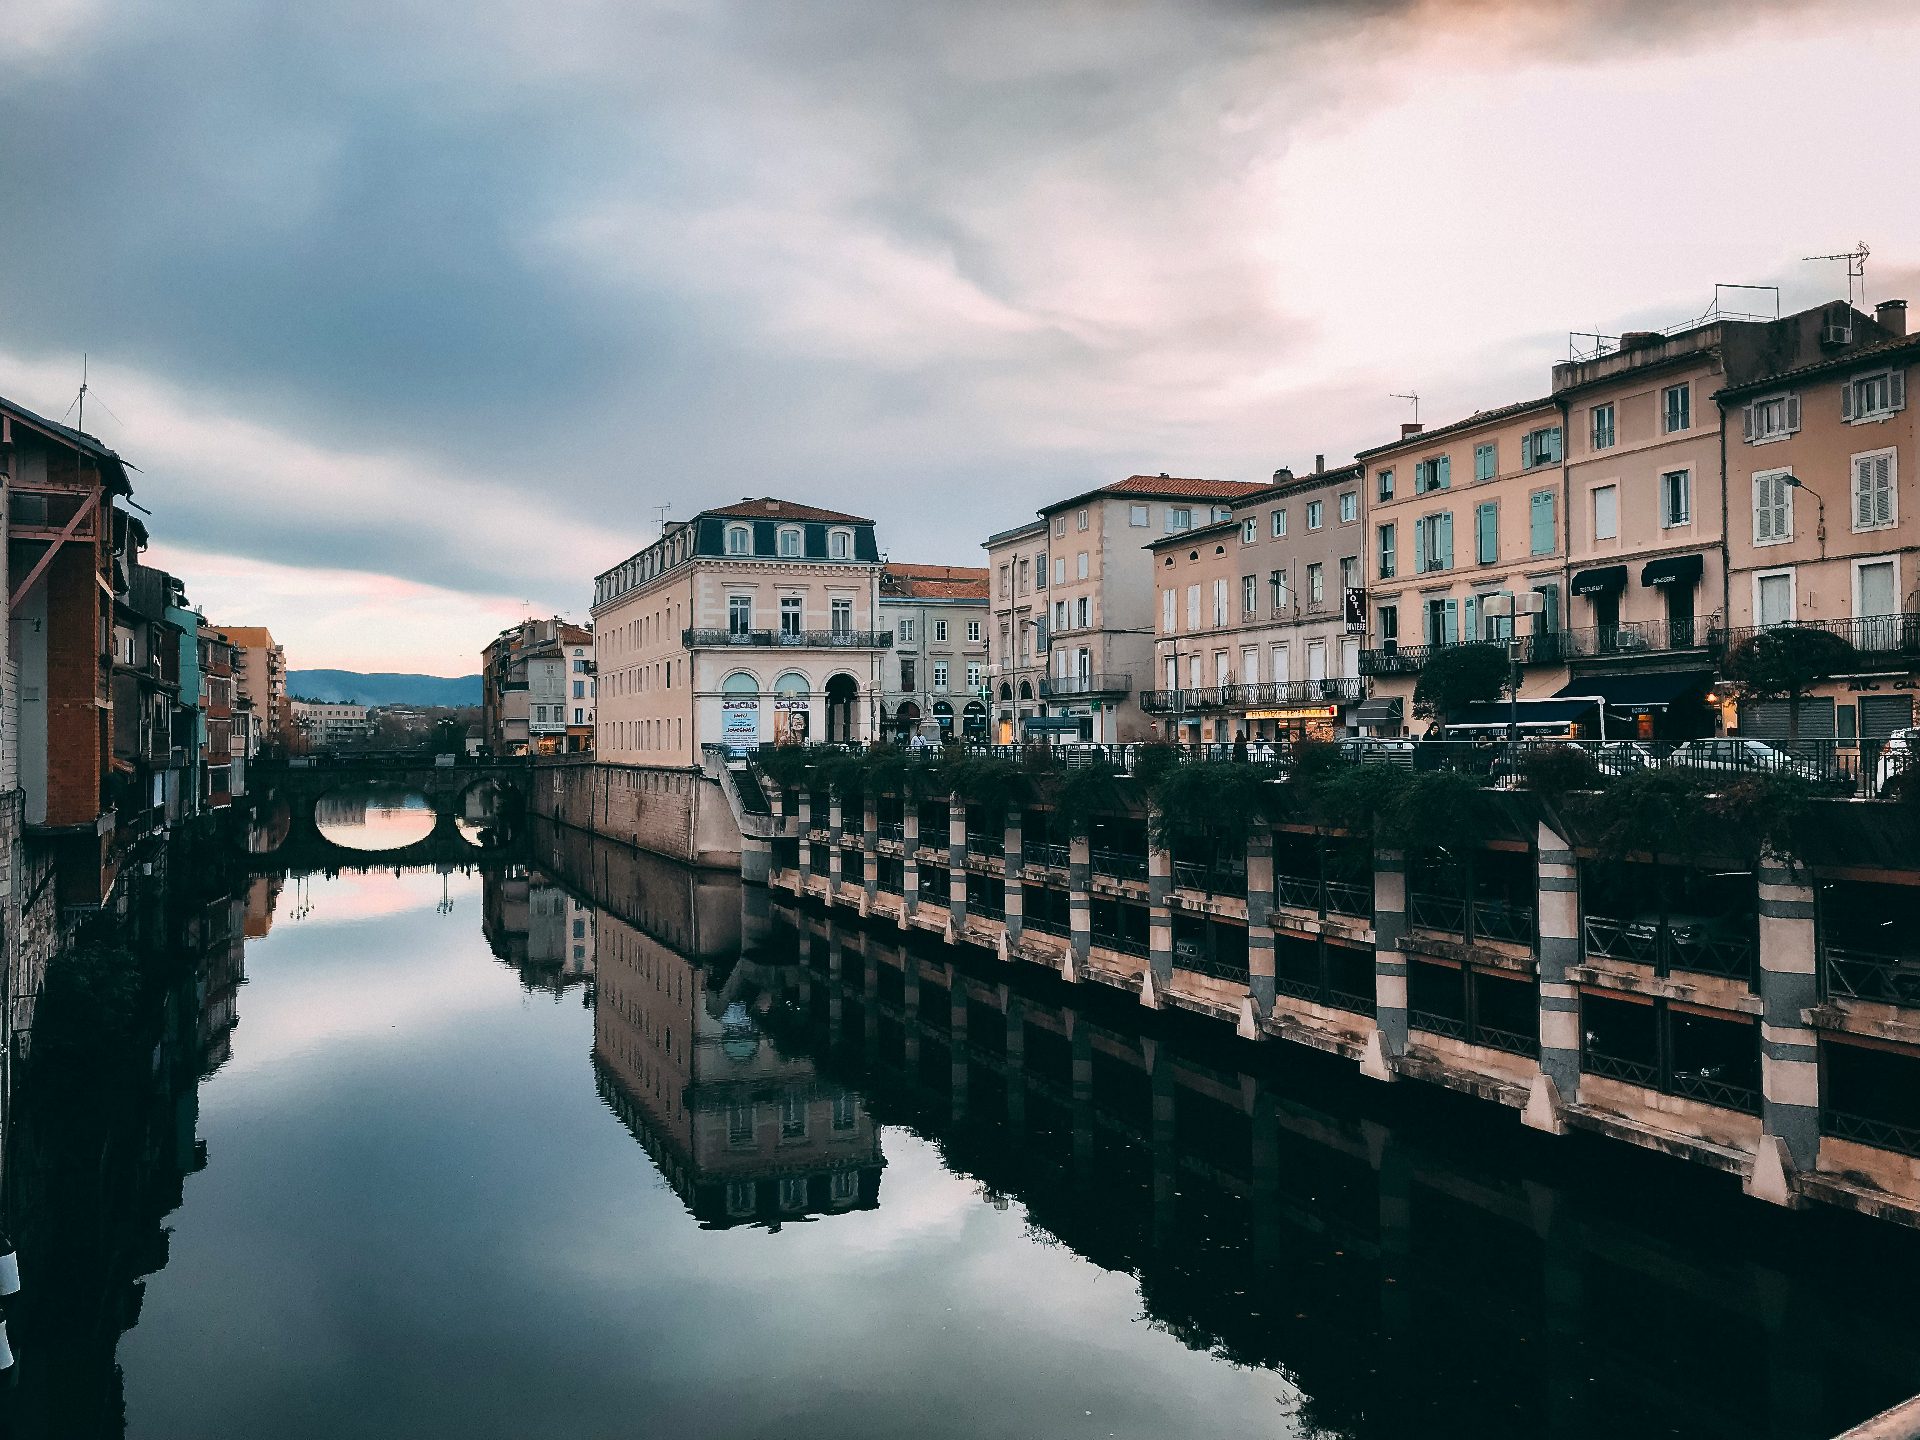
x=1790, y=1059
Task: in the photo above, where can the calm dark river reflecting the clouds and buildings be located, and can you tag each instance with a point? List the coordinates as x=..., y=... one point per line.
x=590, y=1145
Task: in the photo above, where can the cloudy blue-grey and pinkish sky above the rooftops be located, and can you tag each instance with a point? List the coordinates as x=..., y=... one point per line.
x=414, y=314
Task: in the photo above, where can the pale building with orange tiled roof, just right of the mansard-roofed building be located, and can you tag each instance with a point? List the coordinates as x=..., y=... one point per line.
x=936, y=673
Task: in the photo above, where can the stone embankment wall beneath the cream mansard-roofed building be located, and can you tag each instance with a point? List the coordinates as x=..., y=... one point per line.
x=677, y=813
